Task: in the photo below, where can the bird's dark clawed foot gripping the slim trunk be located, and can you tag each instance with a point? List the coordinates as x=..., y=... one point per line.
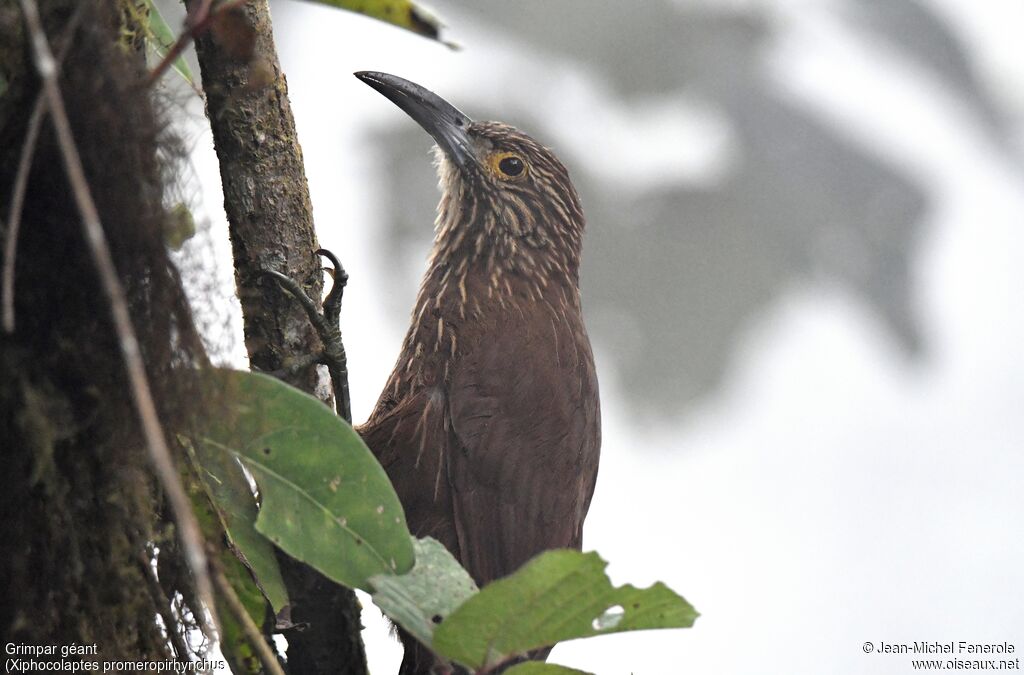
x=327, y=324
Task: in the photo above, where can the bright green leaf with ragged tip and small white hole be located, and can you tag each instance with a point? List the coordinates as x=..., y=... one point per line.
x=560, y=596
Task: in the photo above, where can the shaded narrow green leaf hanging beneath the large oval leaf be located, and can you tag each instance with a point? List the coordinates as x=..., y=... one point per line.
x=230, y=492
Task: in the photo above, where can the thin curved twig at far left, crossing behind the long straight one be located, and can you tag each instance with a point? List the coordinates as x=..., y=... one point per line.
x=22, y=182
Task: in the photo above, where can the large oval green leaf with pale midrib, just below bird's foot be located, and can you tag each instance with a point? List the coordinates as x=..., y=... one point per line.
x=324, y=498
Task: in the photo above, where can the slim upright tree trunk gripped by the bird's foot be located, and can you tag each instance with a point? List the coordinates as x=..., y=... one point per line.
x=271, y=226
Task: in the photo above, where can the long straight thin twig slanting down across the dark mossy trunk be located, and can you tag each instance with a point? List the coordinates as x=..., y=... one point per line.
x=160, y=455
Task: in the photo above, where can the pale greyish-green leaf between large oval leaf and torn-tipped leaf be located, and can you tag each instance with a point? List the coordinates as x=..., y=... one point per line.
x=425, y=597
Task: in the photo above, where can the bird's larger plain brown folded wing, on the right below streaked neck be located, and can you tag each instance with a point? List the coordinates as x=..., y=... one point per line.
x=526, y=424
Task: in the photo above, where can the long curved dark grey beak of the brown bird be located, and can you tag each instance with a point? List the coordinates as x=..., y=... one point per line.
x=445, y=122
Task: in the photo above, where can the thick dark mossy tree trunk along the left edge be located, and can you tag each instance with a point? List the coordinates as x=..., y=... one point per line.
x=79, y=510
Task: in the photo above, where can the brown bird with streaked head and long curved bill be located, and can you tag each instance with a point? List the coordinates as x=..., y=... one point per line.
x=490, y=425
